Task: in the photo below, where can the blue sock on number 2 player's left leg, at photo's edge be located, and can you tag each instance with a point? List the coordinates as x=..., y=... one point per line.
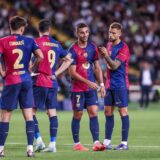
x=4, y=128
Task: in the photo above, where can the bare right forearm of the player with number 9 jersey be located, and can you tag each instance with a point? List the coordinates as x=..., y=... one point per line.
x=66, y=63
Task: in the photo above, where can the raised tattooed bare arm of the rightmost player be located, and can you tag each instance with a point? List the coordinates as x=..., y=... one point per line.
x=112, y=64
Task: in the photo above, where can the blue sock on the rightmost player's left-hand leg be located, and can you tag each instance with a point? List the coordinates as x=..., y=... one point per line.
x=109, y=126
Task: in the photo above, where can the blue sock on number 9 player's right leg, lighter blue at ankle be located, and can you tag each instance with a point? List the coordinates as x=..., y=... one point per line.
x=53, y=128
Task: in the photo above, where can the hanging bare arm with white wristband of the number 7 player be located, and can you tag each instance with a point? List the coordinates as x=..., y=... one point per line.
x=99, y=77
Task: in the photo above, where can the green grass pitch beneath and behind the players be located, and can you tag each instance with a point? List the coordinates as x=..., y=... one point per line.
x=144, y=138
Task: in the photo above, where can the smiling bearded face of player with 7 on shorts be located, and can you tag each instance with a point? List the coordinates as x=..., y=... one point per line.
x=83, y=34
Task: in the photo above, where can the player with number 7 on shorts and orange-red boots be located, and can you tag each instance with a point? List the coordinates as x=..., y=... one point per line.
x=84, y=88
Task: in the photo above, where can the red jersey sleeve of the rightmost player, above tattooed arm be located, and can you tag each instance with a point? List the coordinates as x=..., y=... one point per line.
x=123, y=54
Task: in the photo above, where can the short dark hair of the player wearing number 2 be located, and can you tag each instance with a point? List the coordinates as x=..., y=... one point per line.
x=16, y=22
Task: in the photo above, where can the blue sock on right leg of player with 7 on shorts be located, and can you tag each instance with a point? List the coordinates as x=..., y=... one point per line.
x=94, y=128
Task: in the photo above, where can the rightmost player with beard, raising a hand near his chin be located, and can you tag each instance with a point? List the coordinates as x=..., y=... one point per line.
x=117, y=57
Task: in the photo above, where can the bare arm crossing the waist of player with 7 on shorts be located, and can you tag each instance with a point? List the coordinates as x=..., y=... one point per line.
x=76, y=76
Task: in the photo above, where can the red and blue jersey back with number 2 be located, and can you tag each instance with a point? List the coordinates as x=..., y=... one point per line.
x=16, y=51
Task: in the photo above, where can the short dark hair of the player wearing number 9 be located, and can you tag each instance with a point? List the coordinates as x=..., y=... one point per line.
x=44, y=25
